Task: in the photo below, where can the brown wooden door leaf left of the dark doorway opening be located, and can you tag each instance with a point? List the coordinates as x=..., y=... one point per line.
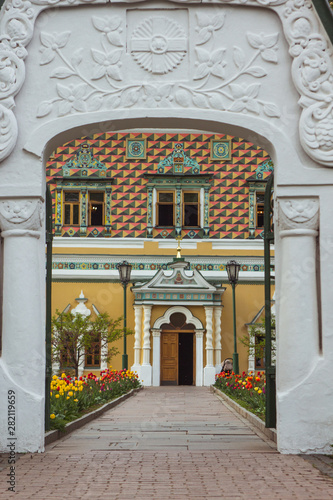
x=169, y=358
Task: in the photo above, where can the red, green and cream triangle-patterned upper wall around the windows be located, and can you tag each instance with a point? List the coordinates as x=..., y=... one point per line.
x=228, y=196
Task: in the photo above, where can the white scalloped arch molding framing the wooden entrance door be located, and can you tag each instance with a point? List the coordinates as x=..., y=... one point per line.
x=198, y=330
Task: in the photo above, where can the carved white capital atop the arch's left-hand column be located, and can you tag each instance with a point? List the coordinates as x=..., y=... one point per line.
x=21, y=214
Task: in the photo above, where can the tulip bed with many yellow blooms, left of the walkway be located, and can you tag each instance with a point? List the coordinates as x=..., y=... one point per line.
x=71, y=396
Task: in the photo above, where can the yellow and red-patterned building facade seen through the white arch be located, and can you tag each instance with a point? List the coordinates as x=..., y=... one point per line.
x=132, y=196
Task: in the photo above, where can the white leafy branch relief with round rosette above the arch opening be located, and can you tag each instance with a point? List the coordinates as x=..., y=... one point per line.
x=159, y=45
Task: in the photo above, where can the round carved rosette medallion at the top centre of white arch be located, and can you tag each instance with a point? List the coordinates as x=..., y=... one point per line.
x=159, y=45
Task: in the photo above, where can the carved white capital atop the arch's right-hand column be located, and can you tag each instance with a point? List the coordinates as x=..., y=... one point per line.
x=298, y=214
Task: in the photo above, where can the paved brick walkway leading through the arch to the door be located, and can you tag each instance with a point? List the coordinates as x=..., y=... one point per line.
x=166, y=443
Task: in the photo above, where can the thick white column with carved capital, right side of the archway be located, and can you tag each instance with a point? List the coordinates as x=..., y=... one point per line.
x=298, y=424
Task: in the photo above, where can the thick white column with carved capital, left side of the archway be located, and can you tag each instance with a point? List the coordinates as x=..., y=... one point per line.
x=22, y=364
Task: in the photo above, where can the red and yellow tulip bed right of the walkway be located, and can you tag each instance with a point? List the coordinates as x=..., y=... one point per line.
x=248, y=390
